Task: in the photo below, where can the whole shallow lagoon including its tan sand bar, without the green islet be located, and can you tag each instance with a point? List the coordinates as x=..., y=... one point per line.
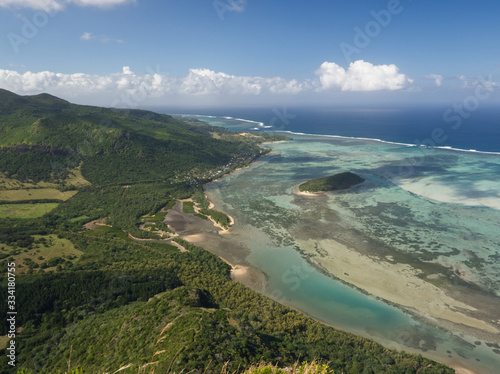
x=405, y=269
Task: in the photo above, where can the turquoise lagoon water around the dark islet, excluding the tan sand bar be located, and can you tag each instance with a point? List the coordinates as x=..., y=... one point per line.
x=438, y=208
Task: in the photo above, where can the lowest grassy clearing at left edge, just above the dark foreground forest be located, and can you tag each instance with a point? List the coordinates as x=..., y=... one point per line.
x=45, y=248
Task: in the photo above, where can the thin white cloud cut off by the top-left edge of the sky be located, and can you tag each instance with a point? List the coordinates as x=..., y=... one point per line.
x=54, y=5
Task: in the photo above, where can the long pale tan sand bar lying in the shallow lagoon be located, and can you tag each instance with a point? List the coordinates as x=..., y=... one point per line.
x=397, y=283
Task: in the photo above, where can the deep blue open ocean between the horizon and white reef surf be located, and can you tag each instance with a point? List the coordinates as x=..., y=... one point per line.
x=431, y=126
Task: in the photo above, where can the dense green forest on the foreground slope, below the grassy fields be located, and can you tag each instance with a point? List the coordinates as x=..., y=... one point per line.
x=130, y=303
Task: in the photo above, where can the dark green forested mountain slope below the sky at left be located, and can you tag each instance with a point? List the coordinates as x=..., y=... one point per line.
x=115, y=146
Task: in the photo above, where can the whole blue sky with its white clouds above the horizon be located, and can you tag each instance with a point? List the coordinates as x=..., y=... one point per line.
x=232, y=52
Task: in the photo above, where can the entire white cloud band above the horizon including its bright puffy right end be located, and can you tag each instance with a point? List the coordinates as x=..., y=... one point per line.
x=127, y=86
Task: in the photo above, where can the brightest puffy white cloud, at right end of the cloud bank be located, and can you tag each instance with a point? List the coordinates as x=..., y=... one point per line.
x=361, y=76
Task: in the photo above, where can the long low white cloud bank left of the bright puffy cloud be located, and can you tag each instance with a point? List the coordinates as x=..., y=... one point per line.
x=198, y=82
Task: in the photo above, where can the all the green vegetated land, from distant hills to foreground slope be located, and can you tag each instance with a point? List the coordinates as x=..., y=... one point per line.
x=105, y=302
